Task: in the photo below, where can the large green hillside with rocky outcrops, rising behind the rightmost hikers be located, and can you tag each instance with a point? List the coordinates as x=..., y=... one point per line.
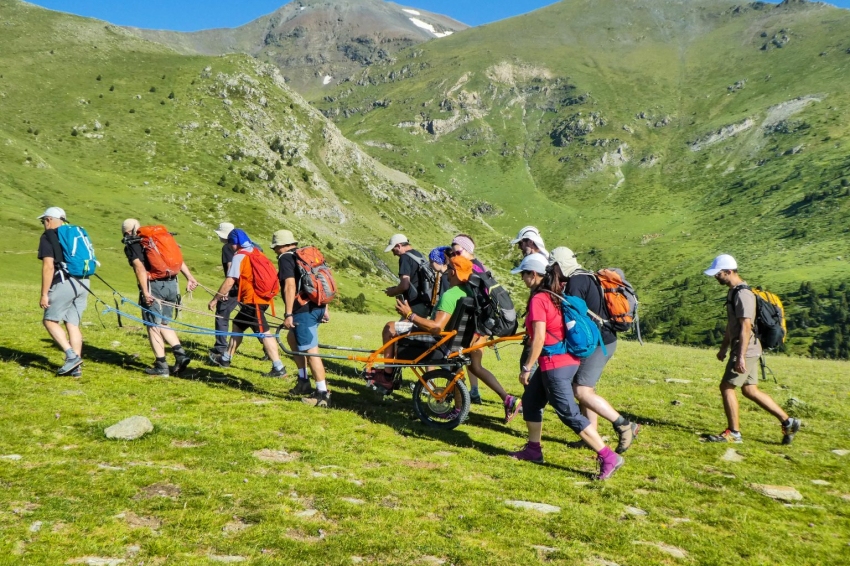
x=648, y=134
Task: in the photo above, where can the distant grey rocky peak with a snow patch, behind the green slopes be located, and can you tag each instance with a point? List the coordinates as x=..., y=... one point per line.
x=317, y=42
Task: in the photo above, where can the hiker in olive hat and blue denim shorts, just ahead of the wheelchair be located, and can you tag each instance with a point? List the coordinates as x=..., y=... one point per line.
x=302, y=318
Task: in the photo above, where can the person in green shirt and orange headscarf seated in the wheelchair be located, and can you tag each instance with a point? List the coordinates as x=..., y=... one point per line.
x=459, y=270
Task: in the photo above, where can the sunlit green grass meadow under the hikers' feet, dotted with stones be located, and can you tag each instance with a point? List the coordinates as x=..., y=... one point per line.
x=420, y=493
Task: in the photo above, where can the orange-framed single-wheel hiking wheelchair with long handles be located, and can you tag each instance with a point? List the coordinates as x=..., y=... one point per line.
x=440, y=395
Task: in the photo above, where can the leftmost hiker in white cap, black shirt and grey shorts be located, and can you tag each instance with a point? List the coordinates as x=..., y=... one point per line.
x=63, y=296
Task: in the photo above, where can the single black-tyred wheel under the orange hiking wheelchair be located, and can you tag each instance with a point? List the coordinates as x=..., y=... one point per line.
x=448, y=413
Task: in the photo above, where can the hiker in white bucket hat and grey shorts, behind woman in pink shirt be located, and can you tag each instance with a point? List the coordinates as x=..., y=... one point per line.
x=578, y=282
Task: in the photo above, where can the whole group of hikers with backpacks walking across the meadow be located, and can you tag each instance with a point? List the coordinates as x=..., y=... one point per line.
x=427, y=295
